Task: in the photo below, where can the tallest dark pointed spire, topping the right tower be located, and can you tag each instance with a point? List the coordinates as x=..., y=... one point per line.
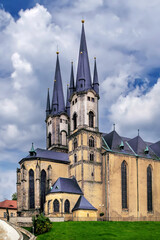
x=83, y=70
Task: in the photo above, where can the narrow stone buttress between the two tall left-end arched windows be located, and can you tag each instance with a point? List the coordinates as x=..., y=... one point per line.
x=37, y=187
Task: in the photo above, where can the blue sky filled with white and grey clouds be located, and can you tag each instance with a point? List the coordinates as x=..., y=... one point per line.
x=123, y=35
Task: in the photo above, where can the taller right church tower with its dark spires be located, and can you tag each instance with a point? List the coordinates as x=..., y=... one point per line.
x=85, y=139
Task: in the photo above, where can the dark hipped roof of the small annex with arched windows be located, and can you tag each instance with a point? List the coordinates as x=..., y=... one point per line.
x=66, y=185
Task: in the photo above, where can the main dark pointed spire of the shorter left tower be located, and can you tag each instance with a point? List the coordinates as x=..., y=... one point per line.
x=58, y=105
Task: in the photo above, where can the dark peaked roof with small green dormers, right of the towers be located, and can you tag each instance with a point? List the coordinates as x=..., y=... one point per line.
x=136, y=146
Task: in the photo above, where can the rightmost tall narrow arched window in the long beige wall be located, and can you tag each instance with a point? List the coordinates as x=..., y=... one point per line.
x=149, y=189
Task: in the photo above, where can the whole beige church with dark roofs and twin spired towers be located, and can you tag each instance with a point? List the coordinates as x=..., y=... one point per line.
x=83, y=174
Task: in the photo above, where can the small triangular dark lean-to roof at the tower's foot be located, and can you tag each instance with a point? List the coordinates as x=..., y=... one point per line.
x=83, y=204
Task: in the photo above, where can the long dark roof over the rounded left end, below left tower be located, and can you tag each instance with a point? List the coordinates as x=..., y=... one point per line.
x=49, y=155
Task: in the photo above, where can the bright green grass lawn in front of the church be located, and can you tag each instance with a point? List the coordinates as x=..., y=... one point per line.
x=102, y=230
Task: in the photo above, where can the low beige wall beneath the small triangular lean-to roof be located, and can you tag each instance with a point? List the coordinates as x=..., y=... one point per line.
x=85, y=215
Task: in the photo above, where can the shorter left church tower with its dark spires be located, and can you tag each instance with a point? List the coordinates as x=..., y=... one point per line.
x=57, y=118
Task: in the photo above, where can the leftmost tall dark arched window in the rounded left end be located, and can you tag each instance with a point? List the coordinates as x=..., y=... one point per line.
x=31, y=189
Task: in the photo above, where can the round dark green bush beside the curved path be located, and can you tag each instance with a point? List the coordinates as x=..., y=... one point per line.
x=41, y=224
